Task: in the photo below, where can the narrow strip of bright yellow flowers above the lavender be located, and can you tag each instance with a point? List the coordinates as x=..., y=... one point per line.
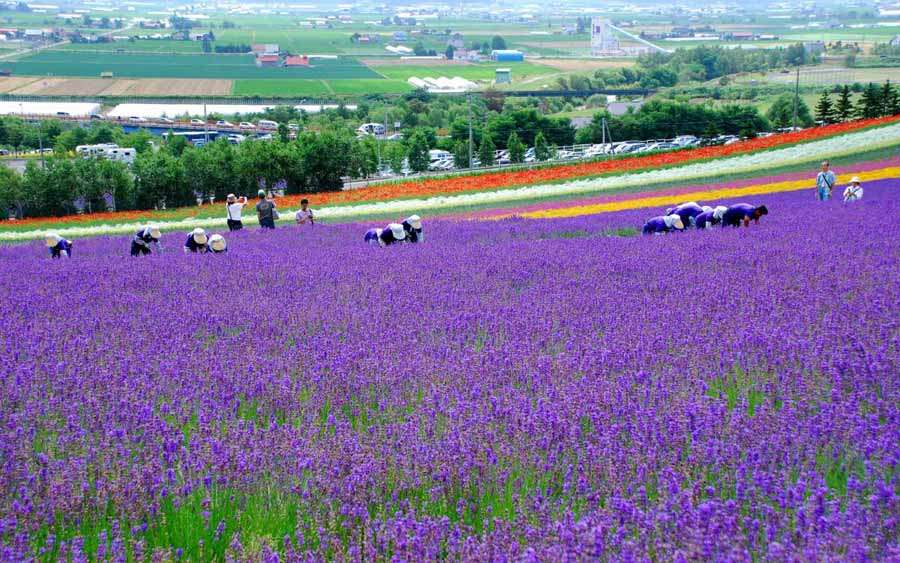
x=705, y=196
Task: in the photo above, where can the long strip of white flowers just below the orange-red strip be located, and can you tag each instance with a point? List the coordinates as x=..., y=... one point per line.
x=709, y=170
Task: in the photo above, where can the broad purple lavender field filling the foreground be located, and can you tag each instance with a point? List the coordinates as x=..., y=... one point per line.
x=508, y=391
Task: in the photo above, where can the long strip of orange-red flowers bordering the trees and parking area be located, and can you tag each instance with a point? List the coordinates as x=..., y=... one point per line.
x=499, y=179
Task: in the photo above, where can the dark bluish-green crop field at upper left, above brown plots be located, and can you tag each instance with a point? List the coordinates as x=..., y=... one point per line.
x=139, y=65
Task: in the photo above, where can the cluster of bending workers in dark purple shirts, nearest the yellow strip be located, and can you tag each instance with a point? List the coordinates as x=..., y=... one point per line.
x=691, y=214
